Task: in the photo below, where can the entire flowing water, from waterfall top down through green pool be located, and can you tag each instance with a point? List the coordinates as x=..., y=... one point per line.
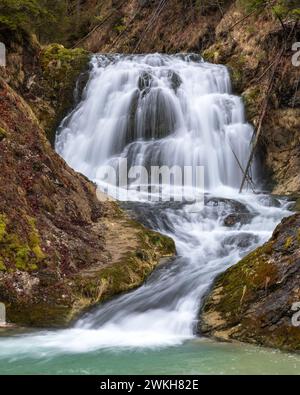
x=159, y=110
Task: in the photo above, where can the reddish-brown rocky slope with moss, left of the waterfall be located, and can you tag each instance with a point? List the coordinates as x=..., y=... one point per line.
x=61, y=250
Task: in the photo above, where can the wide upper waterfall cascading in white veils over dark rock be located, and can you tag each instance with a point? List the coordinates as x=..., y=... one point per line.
x=158, y=110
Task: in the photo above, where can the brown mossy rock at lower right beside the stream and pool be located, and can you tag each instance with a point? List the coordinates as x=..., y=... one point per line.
x=257, y=300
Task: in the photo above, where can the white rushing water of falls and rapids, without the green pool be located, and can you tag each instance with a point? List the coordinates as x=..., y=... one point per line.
x=162, y=110
